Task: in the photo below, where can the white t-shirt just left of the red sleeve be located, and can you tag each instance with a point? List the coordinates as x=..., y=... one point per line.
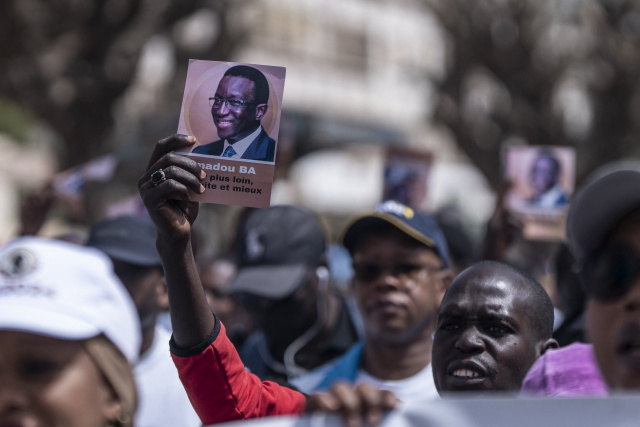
x=162, y=400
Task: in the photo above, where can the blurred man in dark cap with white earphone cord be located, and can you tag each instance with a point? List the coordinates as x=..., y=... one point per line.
x=283, y=281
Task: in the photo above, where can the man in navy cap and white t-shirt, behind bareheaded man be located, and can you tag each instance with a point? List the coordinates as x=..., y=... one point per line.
x=401, y=273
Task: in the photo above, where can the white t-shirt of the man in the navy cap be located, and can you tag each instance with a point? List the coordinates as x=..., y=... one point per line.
x=416, y=388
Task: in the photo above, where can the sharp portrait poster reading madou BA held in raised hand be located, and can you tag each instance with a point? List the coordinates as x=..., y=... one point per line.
x=233, y=110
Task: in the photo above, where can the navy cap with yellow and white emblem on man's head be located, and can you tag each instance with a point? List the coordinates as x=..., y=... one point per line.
x=421, y=227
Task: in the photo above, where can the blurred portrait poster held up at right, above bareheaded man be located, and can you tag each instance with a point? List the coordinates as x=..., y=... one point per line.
x=542, y=180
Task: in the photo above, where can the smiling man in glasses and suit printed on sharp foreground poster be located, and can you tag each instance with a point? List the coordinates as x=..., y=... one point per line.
x=239, y=104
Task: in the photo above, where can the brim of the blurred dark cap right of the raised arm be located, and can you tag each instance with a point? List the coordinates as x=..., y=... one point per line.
x=270, y=281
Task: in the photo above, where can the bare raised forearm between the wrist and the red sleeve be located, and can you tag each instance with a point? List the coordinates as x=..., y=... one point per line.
x=191, y=318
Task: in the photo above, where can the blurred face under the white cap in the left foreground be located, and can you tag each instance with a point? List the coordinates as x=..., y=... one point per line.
x=49, y=382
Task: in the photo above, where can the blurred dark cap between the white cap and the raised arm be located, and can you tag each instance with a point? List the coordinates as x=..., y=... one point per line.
x=127, y=239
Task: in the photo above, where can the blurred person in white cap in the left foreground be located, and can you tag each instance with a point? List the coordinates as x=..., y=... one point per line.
x=69, y=334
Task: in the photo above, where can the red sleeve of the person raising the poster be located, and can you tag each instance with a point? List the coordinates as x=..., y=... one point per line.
x=221, y=390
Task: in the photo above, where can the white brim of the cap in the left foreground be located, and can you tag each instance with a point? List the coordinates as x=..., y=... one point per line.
x=43, y=322
